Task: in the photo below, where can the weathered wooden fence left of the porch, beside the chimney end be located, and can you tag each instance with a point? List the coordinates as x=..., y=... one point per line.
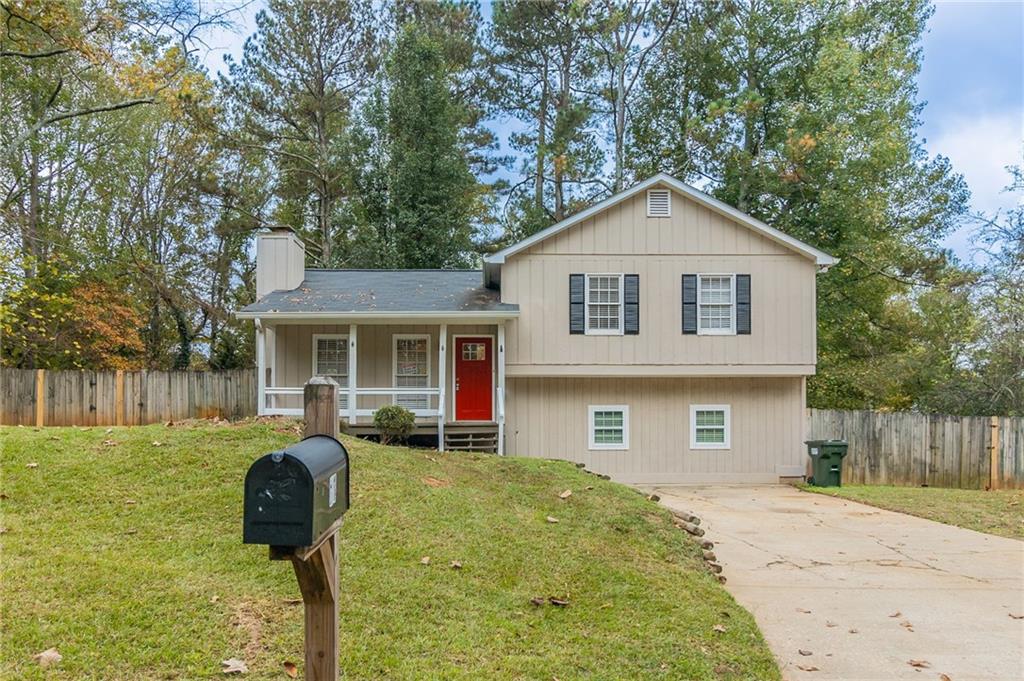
x=38, y=398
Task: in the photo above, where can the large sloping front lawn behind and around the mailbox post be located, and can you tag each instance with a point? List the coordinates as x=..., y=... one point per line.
x=127, y=558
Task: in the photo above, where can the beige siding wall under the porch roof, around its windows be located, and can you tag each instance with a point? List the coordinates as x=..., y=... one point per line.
x=294, y=362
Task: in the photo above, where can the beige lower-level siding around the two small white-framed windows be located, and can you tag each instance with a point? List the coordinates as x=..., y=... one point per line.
x=548, y=418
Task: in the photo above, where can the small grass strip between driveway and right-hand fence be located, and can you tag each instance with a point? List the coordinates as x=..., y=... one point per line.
x=1000, y=513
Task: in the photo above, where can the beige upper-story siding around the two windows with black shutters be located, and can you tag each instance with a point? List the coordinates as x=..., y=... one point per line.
x=695, y=240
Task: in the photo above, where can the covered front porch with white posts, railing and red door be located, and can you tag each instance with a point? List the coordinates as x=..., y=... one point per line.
x=449, y=371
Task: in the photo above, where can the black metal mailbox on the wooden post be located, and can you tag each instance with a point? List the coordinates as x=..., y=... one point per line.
x=294, y=496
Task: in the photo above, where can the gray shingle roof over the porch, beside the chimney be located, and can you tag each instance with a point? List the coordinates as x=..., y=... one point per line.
x=342, y=291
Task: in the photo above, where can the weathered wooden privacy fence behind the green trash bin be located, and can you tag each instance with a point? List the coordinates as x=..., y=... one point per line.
x=909, y=449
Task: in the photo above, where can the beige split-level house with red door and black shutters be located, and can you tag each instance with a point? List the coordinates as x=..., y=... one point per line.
x=660, y=336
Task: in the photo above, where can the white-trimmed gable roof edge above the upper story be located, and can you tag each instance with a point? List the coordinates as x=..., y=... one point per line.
x=702, y=199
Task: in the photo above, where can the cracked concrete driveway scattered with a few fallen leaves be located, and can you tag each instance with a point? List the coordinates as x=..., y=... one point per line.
x=858, y=592
